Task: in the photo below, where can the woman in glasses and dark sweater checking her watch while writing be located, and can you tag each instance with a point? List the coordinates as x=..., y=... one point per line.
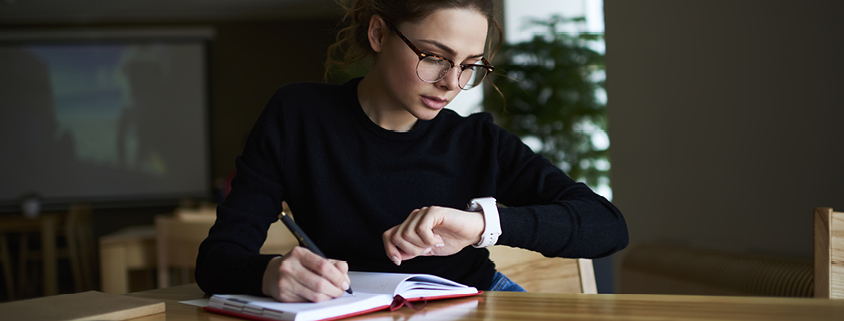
x=378, y=173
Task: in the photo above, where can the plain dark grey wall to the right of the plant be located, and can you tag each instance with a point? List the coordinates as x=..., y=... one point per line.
x=724, y=118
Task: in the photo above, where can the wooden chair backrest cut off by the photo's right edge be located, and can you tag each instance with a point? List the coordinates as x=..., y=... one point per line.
x=829, y=253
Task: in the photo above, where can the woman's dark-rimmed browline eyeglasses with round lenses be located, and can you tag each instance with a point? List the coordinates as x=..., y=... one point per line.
x=432, y=68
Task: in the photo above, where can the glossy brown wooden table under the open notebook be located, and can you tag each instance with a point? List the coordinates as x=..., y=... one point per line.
x=546, y=306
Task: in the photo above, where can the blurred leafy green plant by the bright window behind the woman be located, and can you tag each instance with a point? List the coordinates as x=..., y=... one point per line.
x=551, y=86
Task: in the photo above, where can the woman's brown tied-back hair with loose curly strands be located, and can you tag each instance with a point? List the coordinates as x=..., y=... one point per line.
x=352, y=43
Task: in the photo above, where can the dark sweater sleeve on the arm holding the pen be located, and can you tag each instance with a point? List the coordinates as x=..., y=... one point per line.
x=229, y=260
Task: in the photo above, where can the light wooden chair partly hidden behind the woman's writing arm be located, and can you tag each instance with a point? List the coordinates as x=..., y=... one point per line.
x=178, y=238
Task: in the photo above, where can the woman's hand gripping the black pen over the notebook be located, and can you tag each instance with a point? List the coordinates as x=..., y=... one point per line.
x=302, y=276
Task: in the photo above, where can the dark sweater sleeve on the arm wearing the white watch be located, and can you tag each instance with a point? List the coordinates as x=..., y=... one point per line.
x=548, y=211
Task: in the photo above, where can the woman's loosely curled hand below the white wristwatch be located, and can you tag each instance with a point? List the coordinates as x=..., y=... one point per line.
x=433, y=230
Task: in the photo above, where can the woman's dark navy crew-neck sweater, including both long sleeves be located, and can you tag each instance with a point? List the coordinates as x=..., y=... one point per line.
x=347, y=180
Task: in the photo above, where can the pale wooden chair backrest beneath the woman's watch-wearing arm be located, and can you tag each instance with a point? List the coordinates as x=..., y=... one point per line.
x=537, y=273
